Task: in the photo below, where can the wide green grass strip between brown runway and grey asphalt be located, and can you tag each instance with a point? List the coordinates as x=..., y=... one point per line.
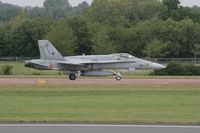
x=108, y=104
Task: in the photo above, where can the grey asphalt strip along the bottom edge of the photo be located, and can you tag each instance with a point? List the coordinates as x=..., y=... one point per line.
x=64, y=128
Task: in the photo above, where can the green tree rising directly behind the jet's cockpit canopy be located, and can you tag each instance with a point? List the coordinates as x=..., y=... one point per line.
x=134, y=39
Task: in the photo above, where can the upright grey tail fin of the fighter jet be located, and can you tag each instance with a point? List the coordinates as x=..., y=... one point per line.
x=48, y=51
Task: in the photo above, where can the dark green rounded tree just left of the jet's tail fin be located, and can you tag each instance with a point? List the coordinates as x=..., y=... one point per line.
x=23, y=37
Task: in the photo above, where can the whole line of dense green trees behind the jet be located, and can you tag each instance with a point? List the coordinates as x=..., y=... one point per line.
x=144, y=28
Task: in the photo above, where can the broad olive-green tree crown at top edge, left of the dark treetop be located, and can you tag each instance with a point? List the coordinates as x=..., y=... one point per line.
x=125, y=12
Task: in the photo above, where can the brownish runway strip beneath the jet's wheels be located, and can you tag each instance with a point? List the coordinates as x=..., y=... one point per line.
x=98, y=81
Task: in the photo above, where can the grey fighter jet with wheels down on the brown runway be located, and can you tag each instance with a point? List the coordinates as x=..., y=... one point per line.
x=87, y=65
